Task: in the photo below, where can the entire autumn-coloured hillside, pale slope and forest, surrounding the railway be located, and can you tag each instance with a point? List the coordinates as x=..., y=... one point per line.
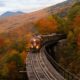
x=16, y=31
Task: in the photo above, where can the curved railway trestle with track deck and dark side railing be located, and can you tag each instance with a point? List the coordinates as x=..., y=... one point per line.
x=40, y=65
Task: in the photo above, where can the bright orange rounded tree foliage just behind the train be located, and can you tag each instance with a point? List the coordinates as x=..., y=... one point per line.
x=46, y=25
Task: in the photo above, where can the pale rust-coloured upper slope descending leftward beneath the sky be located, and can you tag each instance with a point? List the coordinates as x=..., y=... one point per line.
x=10, y=23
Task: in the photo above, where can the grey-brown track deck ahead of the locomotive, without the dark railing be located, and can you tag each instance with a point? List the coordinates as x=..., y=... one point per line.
x=37, y=69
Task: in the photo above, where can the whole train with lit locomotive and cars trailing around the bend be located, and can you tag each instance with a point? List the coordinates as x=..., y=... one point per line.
x=37, y=42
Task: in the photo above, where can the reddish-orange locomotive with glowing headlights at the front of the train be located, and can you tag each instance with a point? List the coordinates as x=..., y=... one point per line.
x=35, y=44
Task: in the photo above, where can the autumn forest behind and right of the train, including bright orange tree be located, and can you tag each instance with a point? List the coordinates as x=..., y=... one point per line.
x=69, y=52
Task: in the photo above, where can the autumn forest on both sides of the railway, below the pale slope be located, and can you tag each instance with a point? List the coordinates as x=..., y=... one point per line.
x=13, y=48
